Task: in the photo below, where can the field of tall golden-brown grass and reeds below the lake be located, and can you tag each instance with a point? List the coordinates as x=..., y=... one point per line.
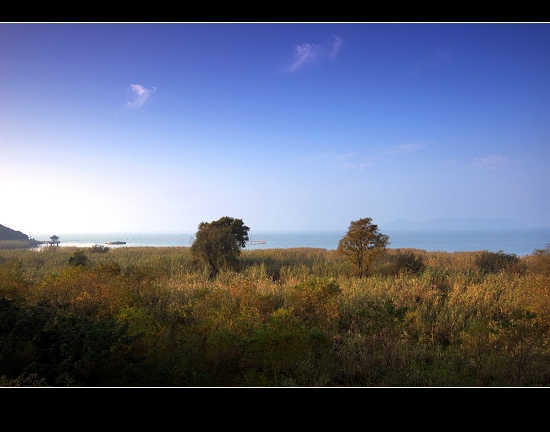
x=287, y=317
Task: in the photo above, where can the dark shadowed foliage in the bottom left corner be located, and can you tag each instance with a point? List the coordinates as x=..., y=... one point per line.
x=64, y=350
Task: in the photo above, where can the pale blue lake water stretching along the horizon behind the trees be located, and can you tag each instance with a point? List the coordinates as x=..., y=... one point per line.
x=513, y=241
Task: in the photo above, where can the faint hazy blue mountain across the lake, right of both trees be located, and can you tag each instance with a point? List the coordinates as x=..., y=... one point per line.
x=455, y=223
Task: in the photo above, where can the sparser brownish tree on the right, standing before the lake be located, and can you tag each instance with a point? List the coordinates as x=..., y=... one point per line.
x=362, y=244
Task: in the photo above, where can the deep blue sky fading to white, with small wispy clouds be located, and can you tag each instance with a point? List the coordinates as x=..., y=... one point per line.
x=156, y=127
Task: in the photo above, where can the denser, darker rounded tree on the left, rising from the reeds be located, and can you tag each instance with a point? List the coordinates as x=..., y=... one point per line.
x=218, y=243
